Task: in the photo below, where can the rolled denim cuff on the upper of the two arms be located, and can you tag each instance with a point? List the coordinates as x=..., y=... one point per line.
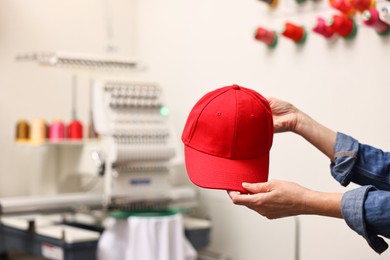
x=345, y=154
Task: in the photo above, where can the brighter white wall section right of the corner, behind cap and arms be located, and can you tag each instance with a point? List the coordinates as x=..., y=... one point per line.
x=194, y=47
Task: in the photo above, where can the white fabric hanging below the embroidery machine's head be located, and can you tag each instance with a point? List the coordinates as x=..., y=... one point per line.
x=145, y=238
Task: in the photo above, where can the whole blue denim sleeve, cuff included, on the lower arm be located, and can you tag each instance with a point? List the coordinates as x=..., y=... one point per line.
x=366, y=217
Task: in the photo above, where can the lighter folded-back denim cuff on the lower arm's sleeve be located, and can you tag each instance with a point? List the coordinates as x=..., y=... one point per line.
x=352, y=209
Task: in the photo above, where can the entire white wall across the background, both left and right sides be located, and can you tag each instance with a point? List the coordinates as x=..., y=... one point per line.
x=192, y=47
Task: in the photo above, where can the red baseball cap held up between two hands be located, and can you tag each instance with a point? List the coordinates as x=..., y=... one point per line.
x=227, y=139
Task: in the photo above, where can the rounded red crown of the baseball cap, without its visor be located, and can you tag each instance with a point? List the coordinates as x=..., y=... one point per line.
x=231, y=122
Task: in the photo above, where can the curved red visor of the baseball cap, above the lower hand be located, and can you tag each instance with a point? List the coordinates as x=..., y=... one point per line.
x=214, y=172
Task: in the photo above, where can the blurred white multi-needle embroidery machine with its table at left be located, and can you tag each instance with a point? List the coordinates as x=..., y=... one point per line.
x=135, y=156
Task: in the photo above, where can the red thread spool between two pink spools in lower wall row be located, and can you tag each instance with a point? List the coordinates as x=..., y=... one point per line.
x=343, y=26
